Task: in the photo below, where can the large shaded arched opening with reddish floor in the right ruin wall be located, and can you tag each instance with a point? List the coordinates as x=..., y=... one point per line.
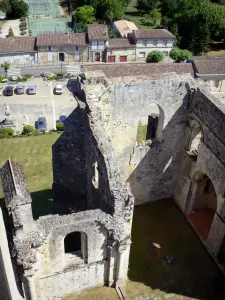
x=204, y=205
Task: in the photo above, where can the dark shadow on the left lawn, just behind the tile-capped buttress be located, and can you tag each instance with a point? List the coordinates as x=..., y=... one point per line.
x=42, y=203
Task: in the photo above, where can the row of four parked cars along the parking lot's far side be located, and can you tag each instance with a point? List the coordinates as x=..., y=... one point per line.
x=31, y=90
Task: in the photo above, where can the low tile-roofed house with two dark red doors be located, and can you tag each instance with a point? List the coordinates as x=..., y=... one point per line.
x=120, y=50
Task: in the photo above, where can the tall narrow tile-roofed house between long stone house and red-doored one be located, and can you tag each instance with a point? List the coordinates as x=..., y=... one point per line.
x=98, y=37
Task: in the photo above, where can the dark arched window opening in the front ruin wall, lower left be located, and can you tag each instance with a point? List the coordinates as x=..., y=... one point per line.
x=75, y=247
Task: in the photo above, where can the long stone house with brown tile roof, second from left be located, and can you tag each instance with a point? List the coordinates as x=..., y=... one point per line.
x=61, y=47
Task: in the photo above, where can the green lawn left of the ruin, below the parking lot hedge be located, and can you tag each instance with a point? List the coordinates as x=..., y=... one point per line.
x=34, y=153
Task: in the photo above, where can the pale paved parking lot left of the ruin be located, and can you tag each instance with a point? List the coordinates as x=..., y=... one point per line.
x=26, y=109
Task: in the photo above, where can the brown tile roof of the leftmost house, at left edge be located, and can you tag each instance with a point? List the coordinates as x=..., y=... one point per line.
x=17, y=44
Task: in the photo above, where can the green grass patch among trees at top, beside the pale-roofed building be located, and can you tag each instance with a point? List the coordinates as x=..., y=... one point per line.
x=132, y=14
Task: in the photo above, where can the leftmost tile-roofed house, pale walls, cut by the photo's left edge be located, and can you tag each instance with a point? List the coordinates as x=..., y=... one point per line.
x=18, y=50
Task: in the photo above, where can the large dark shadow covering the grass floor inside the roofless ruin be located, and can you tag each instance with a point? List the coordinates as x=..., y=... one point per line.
x=192, y=272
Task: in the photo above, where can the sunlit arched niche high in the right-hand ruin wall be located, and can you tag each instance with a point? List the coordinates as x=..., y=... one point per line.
x=195, y=137
